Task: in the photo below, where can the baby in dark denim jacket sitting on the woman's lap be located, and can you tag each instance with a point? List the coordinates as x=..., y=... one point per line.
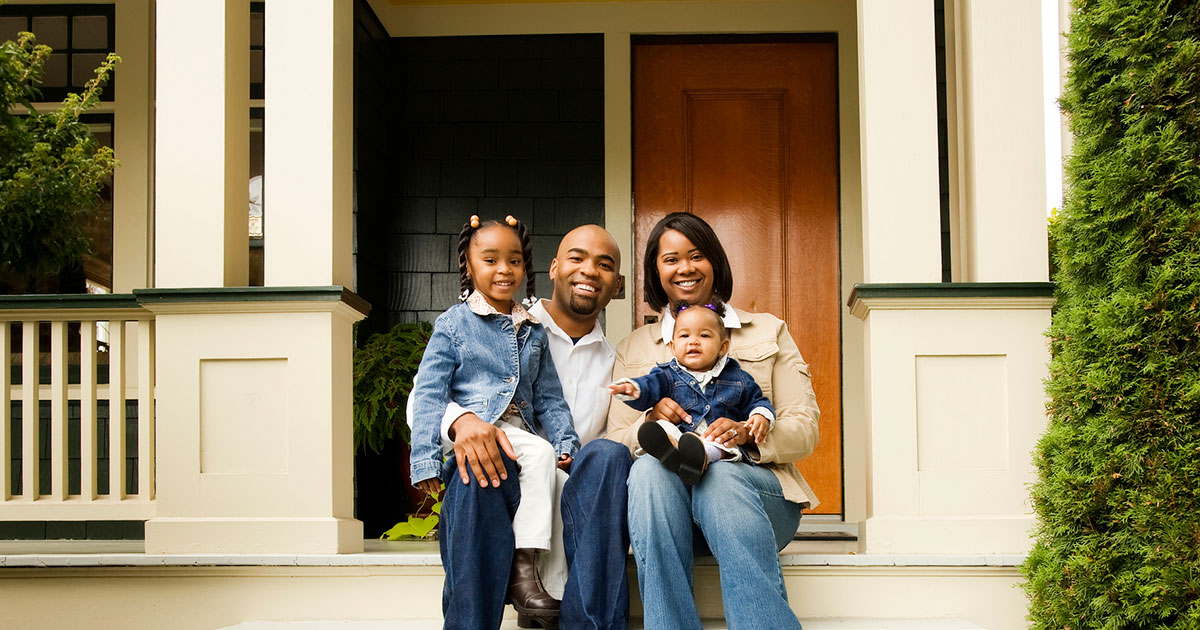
x=707, y=383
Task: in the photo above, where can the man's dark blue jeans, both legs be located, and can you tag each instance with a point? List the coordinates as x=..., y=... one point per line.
x=477, y=543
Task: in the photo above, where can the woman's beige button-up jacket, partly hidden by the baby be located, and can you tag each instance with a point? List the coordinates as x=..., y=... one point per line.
x=769, y=353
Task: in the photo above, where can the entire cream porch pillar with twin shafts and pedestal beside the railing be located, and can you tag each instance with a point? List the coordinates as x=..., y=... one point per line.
x=255, y=385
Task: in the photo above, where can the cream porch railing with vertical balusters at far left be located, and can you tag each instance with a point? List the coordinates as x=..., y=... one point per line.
x=76, y=409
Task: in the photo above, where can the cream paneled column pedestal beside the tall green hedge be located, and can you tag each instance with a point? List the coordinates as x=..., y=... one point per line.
x=956, y=409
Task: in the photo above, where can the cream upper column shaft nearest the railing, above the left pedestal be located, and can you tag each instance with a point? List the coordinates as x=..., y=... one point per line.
x=202, y=148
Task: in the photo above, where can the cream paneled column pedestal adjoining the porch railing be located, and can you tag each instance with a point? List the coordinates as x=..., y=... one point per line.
x=255, y=434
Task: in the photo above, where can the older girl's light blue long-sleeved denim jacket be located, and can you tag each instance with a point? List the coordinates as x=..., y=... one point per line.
x=479, y=363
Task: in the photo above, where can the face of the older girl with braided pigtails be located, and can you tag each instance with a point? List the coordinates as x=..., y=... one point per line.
x=496, y=266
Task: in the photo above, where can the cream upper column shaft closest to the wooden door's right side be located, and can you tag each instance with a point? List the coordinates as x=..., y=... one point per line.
x=898, y=106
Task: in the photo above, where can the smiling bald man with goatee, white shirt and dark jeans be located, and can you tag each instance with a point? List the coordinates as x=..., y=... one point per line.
x=477, y=554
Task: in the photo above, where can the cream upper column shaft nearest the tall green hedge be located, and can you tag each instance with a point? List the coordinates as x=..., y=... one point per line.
x=1004, y=141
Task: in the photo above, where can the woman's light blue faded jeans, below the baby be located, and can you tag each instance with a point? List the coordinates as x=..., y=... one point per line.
x=741, y=512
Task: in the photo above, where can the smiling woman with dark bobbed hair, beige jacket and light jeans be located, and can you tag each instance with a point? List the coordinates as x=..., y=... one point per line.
x=745, y=514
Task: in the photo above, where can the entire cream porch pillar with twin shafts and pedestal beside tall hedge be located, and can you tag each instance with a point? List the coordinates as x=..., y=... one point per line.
x=955, y=401
